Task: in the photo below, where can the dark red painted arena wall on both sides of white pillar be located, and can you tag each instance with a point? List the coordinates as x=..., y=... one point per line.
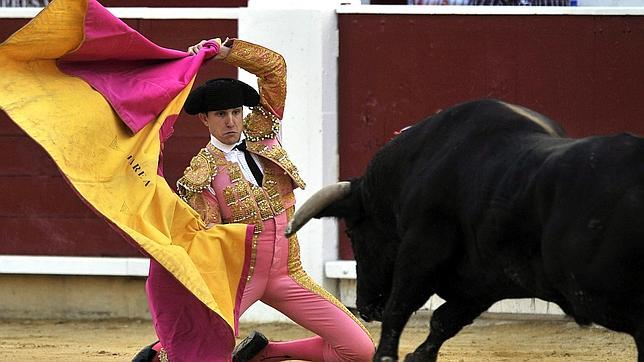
x=394, y=70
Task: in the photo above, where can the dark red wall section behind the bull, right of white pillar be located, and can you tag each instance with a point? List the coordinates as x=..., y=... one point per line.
x=584, y=71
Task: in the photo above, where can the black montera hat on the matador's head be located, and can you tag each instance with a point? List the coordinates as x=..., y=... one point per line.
x=220, y=93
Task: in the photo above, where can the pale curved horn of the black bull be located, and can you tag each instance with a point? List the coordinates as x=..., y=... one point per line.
x=318, y=202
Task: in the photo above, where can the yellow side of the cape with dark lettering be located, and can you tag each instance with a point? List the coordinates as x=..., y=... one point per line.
x=112, y=170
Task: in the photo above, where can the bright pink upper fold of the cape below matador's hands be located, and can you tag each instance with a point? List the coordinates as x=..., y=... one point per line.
x=137, y=77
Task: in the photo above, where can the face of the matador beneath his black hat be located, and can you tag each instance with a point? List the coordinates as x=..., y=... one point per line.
x=226, y=125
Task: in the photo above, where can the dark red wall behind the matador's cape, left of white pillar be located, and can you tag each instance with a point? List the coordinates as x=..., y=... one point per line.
x=39, y=212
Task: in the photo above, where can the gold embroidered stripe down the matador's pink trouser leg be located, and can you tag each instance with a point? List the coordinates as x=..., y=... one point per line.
x=297, y=273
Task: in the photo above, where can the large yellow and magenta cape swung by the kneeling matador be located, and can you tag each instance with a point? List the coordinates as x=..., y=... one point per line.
x=101, y=99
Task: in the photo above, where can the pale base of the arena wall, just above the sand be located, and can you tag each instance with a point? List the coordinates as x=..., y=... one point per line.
x=106, y=297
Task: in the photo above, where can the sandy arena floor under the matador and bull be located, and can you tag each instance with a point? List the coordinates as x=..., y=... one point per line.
x=486, y=340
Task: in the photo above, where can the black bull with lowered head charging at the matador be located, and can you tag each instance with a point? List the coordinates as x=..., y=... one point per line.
x=487, y=201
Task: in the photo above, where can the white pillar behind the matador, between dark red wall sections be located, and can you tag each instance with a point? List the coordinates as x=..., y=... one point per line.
x=305, y=33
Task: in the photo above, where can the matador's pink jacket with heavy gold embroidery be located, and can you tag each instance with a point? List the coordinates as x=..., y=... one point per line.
x=215, y=187
